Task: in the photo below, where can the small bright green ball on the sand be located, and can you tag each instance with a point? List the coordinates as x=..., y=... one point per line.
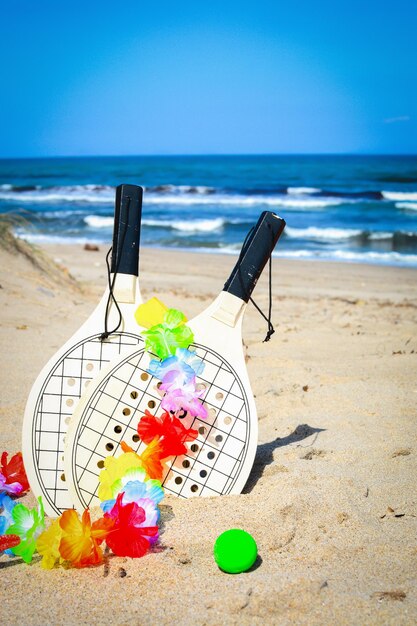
x=235, y=551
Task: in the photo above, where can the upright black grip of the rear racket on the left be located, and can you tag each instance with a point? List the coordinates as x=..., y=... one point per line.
x=126, y=234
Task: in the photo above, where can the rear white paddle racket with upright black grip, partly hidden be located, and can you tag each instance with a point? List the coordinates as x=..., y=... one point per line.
x=109, y=331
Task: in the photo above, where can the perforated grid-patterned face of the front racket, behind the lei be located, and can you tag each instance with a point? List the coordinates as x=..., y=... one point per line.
x=212, y=463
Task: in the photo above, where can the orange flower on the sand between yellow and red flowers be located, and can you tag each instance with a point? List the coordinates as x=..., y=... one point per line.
x=80, y=542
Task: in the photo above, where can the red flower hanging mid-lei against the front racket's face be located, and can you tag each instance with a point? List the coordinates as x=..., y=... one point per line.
x=169, y=430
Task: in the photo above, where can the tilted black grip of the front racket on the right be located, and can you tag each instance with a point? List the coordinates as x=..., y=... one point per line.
x=254, y=256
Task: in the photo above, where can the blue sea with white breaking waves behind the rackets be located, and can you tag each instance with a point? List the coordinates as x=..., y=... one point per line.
x=346, y=208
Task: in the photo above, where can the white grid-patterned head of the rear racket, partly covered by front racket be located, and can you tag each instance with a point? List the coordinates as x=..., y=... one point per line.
x=51, y=403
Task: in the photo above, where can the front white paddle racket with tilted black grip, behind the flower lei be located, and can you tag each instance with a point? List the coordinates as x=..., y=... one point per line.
x=220, y=459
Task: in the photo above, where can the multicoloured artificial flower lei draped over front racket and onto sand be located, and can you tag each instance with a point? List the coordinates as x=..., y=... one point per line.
x=130, y=487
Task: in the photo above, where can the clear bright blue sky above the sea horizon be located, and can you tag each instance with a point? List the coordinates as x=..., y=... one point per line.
x=134, y=77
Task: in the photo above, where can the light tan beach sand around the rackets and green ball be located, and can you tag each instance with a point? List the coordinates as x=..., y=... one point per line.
x=331, y=500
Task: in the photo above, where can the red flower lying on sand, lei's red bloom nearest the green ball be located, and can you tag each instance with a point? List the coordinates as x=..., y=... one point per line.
x=128, y=537
